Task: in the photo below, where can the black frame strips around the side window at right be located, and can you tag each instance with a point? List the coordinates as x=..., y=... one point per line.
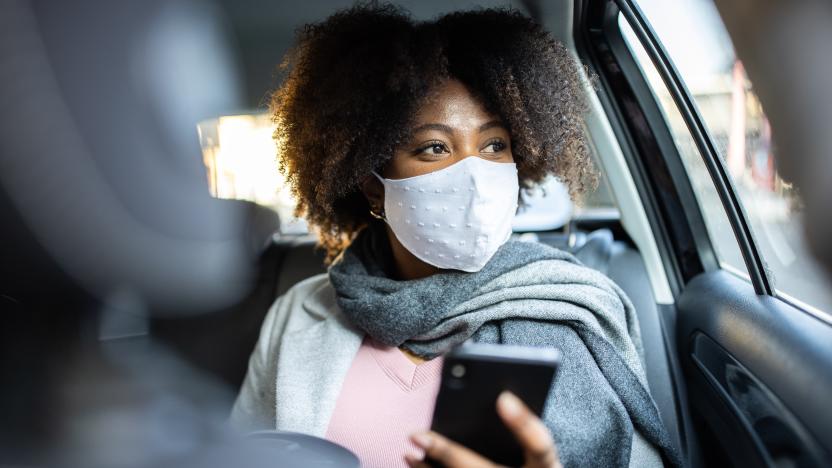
x=643, y=130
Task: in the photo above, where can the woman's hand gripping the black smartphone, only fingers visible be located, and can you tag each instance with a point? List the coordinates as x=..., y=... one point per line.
x=534, y=438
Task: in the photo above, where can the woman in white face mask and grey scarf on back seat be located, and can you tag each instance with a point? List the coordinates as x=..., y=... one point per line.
x=406, y=145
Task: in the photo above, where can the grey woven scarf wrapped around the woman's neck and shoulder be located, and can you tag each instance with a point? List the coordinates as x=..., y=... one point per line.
x=527, y=294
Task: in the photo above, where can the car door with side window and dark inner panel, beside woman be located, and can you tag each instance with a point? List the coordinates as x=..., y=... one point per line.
x=752, y=321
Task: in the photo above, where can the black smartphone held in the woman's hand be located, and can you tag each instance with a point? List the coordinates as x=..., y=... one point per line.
x=473, y=375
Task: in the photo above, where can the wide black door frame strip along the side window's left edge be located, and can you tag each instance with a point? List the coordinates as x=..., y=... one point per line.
x=640, y=128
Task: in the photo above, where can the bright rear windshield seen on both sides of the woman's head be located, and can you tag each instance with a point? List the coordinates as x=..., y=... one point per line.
x=239, y=156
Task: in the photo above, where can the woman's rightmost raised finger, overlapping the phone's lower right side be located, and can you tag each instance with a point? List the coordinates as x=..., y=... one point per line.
x=531, y=433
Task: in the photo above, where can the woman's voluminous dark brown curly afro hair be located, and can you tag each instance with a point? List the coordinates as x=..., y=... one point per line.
x=353, y=83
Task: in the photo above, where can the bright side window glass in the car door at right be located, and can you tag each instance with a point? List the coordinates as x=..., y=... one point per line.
x=694, y=37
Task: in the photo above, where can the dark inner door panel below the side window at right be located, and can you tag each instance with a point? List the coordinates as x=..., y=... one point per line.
x=758, y=370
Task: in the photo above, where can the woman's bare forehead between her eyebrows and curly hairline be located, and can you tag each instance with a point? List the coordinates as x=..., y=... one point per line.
x=452, y=104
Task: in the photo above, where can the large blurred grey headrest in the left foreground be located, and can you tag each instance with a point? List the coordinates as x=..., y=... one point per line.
x=99, y=155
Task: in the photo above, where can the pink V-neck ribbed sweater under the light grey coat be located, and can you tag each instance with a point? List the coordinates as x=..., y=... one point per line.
x=385, y=398
